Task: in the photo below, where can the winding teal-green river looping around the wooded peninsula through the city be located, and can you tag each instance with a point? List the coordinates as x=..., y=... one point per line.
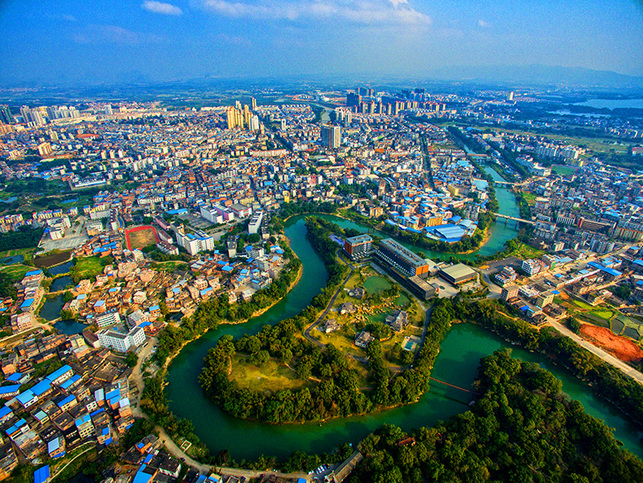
x=457, y=364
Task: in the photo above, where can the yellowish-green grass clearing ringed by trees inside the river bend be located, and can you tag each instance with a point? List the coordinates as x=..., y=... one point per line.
x=272, y=376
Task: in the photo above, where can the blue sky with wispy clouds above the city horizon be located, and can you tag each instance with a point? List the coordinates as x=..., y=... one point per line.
x=99, y=41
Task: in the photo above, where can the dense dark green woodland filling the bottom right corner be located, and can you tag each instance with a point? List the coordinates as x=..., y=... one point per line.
x=521, y=428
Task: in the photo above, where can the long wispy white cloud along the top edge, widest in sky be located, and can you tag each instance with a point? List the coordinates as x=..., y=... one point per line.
x=362, y=12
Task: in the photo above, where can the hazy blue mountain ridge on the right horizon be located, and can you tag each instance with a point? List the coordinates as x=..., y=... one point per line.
x=537, y=74
